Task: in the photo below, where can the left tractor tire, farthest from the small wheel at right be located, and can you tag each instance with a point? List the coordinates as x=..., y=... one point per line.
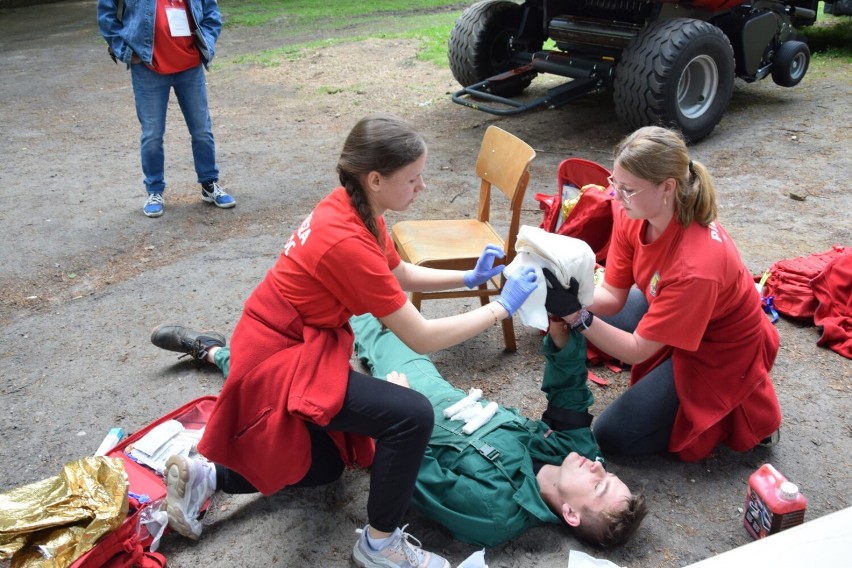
x=481, y=44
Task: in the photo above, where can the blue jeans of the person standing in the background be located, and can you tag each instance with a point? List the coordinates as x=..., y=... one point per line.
x=152, y=90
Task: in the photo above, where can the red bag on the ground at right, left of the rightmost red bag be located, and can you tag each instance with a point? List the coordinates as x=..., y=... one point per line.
x=789, y=282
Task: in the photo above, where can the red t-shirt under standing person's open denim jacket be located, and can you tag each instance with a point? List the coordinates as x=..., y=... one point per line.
x=173, y=54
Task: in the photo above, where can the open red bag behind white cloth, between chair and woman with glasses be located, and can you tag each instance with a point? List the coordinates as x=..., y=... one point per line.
x=591, y=217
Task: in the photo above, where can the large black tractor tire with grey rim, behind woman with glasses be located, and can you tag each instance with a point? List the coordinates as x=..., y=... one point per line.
x=675, y=73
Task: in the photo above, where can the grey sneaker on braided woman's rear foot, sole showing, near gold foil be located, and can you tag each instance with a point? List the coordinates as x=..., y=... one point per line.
x=187, y=490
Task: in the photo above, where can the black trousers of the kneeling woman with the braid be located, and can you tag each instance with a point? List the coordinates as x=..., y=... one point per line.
x=398, y=418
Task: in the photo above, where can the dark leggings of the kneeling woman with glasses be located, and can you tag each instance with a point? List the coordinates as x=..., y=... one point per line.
x=639, y=421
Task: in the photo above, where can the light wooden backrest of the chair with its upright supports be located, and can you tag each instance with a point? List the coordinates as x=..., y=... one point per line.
x=503, y=162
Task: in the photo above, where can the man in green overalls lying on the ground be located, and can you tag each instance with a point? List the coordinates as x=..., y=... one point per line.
x=511, y=474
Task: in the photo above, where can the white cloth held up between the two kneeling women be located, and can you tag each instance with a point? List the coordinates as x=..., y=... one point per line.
x=565, y=256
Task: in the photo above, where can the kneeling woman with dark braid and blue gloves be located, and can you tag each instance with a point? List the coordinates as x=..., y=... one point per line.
x=293, y=411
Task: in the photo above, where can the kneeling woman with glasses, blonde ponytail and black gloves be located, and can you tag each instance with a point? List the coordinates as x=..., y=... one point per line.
x=679, y=305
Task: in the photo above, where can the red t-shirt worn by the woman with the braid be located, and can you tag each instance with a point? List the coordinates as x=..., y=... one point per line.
x=332, y=267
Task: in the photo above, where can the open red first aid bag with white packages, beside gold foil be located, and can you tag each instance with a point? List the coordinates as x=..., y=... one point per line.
x=129, y=545
